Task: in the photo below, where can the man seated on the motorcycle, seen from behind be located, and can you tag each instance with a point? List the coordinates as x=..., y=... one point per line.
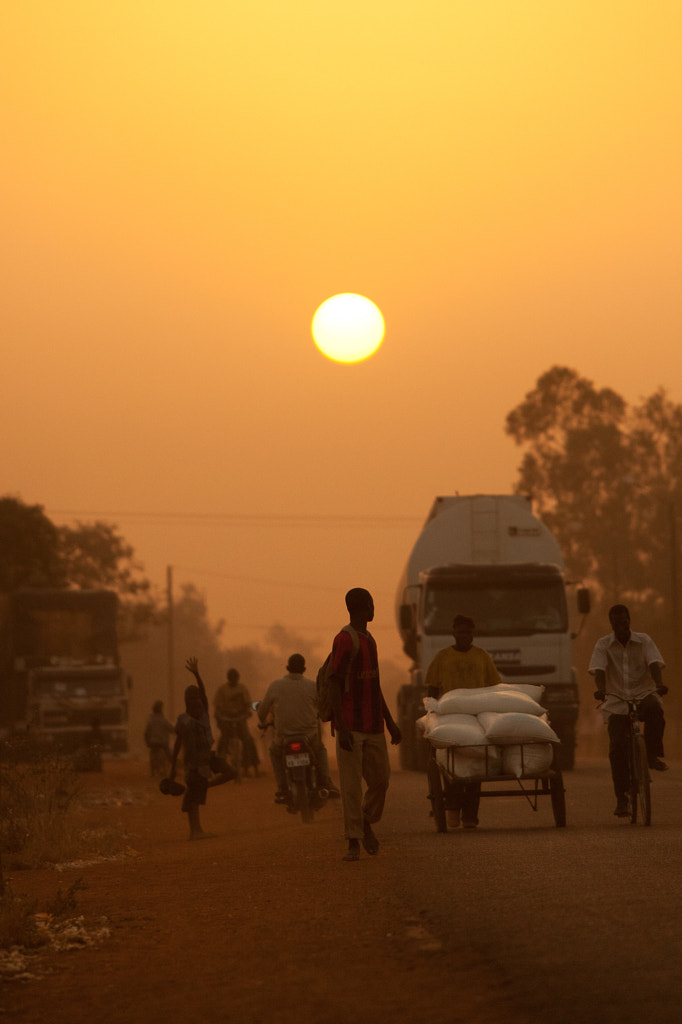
x=293, y=703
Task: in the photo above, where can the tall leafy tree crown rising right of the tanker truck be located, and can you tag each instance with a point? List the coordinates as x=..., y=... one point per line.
x=608, y=480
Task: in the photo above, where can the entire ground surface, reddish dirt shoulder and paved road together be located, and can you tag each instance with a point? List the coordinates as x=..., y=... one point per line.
x=518, y=922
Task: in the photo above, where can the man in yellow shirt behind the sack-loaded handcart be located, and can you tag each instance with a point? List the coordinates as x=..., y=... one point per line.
x=461, y=666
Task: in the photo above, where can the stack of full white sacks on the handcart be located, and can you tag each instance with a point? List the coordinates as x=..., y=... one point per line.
x=487, y=727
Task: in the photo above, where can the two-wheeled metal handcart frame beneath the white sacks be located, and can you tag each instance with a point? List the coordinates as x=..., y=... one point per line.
x=531, y=786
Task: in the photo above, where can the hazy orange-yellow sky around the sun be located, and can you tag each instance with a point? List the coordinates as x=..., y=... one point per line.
x=185, y=182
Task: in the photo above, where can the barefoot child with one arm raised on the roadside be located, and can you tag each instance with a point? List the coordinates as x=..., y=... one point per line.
x=196, y=740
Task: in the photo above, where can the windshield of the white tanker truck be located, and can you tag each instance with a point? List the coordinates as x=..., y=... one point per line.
x=519, y=610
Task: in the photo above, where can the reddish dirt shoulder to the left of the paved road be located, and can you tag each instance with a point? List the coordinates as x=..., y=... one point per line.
x=265, y=923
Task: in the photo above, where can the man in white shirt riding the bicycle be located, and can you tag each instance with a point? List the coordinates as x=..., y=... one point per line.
x=627, y=666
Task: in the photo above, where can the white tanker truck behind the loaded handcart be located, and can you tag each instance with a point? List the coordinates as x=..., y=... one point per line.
x=488, y=557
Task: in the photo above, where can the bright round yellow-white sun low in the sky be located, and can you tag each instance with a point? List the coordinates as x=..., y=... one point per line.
x=349, y=328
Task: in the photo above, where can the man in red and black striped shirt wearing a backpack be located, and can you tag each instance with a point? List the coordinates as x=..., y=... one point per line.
x=359, y=717
